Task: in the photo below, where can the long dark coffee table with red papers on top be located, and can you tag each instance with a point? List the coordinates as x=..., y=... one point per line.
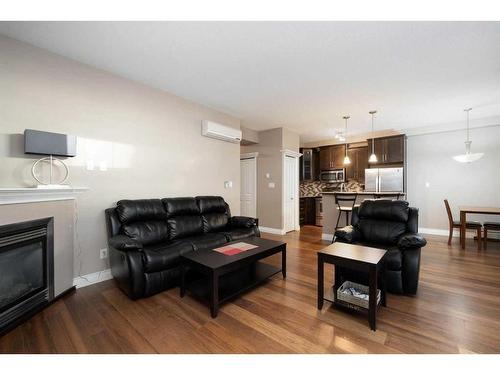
x=227, y=276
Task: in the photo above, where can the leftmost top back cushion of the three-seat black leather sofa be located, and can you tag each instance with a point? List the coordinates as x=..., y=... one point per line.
x=130, y=211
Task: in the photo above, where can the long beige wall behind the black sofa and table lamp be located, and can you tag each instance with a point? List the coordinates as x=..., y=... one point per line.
x=150, y=140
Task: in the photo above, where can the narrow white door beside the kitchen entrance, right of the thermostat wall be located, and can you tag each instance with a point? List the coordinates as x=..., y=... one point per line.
x=290, y=193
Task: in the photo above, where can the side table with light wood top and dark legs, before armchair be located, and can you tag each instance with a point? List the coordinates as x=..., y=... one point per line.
x=358, y=258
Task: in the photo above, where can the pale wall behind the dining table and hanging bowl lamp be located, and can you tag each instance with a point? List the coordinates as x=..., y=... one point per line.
x=430, y=161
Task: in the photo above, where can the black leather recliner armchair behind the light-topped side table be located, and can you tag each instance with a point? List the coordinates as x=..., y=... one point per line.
x=389, y=225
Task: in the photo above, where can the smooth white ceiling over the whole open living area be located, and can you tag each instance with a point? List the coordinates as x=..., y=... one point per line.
x=301, y=75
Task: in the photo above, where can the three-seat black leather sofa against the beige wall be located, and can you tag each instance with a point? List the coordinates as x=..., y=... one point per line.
x=146, y=238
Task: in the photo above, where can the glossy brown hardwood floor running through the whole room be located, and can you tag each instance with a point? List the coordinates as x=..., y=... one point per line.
x=457, y=310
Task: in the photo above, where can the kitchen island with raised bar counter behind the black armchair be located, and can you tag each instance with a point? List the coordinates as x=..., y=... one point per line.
x=330, y=211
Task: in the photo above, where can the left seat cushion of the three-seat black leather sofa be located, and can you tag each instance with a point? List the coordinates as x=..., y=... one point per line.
x=162, y=256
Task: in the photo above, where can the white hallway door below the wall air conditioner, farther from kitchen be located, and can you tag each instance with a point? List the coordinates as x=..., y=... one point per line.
x=248, y=194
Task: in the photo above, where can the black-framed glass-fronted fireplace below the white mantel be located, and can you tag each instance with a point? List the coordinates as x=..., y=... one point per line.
x=26, y=270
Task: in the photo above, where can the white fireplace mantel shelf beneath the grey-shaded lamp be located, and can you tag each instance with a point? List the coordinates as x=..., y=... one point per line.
x=26, y=195
